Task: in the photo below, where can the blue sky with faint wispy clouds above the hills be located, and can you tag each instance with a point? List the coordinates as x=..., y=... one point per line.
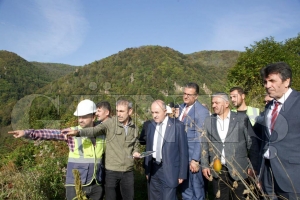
x=78, y=32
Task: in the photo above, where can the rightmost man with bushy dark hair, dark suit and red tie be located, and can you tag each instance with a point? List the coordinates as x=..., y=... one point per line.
x=279, y=135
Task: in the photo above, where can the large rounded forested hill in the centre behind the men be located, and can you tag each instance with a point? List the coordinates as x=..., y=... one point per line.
x=154, y=70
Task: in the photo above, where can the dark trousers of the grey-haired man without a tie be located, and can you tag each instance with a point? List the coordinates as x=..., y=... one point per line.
x=224, y=183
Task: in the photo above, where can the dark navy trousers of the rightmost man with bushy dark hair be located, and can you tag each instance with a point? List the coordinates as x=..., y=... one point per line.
x=270, y=186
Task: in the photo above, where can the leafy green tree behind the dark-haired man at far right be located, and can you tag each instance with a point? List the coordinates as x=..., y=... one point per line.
x=246, y=72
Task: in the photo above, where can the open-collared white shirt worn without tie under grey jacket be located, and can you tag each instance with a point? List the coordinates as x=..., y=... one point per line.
x=222, y=127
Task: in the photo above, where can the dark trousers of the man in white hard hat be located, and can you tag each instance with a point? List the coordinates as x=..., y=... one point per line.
x=93, y=192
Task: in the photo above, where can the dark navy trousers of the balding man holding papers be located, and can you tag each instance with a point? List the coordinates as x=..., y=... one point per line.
x=158, y=190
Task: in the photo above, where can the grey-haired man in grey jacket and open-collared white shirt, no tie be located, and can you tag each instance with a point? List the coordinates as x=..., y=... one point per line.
x=226, y=138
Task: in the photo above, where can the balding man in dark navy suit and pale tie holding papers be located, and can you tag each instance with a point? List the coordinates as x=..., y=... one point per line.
x=167, y=167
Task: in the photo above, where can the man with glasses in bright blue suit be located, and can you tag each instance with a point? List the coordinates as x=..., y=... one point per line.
x=193, y=114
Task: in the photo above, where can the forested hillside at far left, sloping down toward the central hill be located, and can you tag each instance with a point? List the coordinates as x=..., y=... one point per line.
x=19, y=78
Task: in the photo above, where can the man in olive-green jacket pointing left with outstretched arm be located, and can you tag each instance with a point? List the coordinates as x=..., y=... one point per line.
x=121, y=146
